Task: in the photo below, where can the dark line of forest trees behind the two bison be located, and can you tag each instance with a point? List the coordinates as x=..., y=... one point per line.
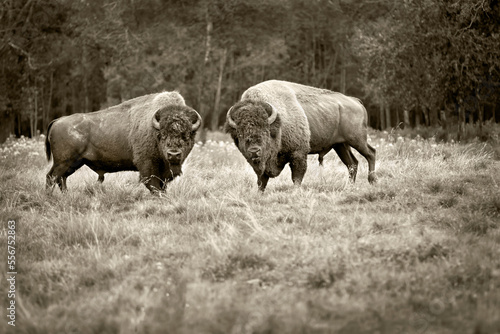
x=412, y=62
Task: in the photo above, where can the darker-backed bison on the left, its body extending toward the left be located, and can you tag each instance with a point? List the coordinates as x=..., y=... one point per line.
x=152, y=134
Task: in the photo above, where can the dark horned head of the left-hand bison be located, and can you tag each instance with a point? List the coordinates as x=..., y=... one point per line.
x=176, y=127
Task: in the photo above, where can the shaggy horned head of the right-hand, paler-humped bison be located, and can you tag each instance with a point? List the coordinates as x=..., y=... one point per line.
x=255, y=128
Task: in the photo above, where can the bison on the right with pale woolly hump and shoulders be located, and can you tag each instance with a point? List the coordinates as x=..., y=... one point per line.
x=280, y=122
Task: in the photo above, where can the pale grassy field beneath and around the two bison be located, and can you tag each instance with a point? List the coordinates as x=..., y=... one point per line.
x=418, y=252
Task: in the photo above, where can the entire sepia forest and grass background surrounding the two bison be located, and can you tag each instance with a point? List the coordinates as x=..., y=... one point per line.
x=418, y=252
